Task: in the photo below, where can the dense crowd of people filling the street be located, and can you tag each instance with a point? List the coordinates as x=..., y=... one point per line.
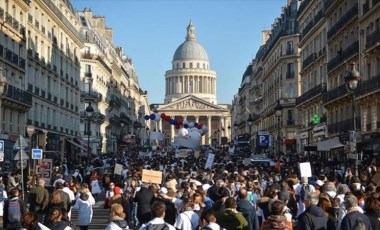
x=231, y=194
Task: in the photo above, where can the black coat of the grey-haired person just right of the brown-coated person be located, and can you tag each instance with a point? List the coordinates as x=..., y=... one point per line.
x=313, y=218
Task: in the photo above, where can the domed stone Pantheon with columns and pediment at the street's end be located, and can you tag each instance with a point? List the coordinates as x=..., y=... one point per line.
x=190, y=93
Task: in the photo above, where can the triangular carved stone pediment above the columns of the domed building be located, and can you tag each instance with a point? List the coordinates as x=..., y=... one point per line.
x=191, y=102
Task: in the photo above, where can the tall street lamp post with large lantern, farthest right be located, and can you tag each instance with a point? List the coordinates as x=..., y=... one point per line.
x=352, y=79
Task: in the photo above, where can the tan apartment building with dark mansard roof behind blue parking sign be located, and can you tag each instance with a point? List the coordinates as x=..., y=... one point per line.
x=277, y=81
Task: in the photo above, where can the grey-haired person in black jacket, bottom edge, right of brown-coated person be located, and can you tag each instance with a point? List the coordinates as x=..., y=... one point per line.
x=313, y=218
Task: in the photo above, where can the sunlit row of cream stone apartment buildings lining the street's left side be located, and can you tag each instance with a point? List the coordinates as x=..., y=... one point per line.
x=55, y=63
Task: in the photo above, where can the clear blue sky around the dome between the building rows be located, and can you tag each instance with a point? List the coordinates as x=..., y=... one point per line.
x=151, y=30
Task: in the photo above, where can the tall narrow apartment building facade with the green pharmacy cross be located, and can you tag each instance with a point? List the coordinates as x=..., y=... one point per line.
x=312, y=116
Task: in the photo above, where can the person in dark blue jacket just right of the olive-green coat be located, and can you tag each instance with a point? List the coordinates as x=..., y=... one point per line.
x=249, y=212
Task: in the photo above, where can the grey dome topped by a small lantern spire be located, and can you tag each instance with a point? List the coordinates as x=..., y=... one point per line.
x=190, y=49
